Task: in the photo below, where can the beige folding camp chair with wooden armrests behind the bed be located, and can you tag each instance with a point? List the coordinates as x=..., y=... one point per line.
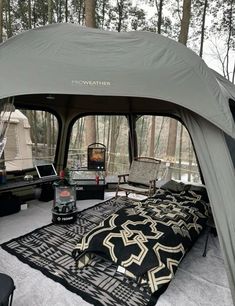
x=141, y=178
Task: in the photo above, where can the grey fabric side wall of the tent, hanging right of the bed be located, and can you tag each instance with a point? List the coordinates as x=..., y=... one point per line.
x=218, y=172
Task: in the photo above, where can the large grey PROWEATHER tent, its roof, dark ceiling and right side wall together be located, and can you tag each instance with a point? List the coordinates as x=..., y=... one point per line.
x=130, y=72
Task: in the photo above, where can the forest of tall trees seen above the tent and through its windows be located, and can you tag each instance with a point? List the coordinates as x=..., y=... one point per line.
x=205, y=26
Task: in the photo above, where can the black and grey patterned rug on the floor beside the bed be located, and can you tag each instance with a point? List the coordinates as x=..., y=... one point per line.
x=49, y=248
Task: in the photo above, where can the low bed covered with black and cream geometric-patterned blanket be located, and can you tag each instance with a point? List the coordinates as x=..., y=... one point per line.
x=148, y=239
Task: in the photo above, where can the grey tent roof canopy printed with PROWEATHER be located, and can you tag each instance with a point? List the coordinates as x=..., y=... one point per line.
x=69, y=59
